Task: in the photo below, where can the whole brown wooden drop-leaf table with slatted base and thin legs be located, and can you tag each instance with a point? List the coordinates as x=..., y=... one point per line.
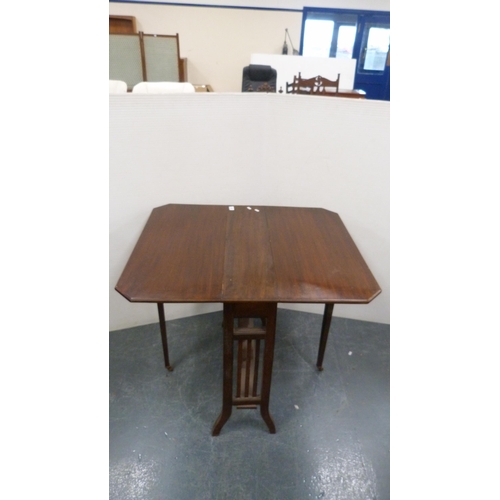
x=249, y=259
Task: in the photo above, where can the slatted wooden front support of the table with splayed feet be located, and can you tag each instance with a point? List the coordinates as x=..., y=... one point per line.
x=243, y=391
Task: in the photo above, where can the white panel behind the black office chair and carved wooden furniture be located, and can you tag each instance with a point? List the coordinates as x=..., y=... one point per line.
x=309, y=67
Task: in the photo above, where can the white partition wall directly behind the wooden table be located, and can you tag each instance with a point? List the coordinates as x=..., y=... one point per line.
x=249, y=149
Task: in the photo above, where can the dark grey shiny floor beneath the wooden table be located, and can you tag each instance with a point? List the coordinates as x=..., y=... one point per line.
x=332, y=439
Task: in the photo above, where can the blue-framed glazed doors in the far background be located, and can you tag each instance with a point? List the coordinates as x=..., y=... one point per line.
x=356, y=34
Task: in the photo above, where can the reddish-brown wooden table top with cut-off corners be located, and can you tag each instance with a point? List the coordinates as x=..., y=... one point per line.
x=210, y=253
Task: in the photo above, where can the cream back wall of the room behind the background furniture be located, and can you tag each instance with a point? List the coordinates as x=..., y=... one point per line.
x=218, y=42
